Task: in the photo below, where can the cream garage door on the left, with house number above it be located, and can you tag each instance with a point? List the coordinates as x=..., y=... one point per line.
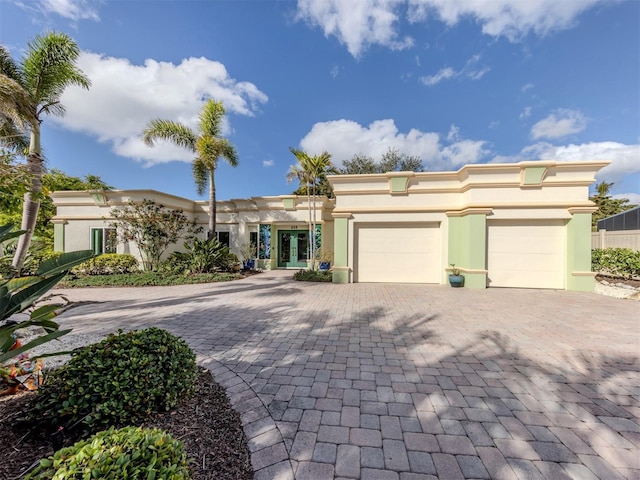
x=400, y=253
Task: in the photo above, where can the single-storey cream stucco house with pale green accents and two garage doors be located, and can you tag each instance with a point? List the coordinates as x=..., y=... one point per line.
x=524, y=225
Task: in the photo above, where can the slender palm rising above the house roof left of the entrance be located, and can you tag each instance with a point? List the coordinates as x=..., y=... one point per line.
x=206, y=144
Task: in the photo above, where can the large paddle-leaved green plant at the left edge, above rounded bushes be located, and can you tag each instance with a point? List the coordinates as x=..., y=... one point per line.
x=21, y=294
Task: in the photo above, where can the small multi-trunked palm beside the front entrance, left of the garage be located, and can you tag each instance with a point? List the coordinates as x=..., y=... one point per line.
x=311, y=170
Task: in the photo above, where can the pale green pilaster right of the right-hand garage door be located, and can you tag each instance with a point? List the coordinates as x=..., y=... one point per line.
x=579, y=253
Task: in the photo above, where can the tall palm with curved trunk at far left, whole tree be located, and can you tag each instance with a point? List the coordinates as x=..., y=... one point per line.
x=29, y=90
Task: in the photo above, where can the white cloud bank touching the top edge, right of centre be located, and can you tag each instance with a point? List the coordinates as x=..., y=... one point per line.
x=357, y=24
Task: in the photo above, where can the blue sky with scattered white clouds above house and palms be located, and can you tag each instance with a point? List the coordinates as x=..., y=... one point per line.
x=454, y=82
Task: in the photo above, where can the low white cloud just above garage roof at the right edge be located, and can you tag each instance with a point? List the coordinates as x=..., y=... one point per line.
x=624, y=158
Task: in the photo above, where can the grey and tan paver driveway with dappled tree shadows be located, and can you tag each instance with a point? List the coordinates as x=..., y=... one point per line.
x=379, y=381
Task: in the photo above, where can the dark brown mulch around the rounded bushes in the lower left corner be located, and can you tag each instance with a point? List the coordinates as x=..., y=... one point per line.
x=207, y=425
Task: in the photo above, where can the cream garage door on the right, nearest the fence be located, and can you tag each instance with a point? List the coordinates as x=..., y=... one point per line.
x=527, y=254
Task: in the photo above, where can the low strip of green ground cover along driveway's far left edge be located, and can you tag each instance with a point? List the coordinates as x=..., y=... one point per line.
x=146, y=279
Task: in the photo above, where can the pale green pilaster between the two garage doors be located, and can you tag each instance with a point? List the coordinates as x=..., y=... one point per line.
x=467, y=241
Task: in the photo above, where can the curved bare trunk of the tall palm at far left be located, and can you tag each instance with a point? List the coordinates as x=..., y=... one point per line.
x=31, y=203
